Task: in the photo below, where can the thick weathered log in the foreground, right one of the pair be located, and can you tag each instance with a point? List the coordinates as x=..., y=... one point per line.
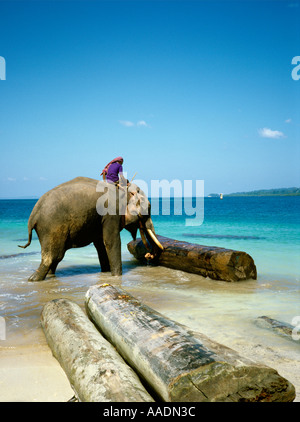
x=178, y=364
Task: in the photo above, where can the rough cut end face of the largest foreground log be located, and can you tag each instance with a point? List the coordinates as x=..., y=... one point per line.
x=232, y=384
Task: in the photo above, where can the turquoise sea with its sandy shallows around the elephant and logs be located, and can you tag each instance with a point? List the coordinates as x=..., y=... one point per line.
x=267, y=228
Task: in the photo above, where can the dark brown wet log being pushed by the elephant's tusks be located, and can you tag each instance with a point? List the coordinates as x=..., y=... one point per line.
x=208, y=261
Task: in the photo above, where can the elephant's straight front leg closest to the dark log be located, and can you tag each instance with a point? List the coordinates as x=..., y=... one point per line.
x=112, y=243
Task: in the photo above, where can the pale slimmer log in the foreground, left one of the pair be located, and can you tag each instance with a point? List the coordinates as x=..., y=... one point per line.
x=97, y=373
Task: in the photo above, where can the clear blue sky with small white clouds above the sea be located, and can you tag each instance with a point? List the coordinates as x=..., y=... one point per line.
x=182, y=90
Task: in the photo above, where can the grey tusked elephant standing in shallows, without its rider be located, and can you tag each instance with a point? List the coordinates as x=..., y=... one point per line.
x=83, y=211
